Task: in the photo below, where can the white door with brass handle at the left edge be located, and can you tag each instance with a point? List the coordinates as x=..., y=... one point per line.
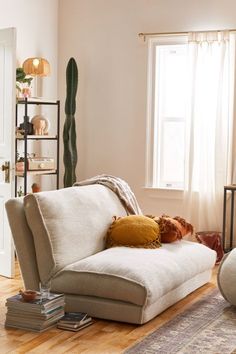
x=7, y=143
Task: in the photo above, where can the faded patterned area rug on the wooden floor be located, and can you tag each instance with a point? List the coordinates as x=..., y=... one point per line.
x=208, y=327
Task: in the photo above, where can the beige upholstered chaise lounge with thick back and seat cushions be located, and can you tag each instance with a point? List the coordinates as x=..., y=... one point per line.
x=59, y=235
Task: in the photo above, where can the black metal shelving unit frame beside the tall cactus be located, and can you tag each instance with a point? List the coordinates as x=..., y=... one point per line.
x=26, y=137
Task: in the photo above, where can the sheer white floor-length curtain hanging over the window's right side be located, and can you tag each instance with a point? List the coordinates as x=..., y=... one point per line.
x=209, y=127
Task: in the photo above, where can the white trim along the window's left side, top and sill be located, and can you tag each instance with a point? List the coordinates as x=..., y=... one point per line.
x=151, y=128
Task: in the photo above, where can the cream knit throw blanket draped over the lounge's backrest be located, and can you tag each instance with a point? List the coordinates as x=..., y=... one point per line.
x=118, y=186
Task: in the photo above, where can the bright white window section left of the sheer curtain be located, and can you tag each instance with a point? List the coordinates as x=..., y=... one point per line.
x=167, y=97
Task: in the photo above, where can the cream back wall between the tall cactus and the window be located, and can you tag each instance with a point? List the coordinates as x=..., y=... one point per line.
x=112, y=62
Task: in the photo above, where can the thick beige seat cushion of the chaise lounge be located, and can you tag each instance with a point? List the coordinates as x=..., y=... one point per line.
x=135, y=275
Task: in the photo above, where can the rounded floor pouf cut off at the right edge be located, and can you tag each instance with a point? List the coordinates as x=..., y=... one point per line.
x=227, y=277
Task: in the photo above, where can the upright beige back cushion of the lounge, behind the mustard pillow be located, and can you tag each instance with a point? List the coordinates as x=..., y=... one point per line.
x=69, y=224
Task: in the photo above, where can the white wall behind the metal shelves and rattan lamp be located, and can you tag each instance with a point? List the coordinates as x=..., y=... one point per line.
x=36, y=23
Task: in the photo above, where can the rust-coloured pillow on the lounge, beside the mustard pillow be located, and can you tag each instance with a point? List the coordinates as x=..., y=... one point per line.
x=173, y=229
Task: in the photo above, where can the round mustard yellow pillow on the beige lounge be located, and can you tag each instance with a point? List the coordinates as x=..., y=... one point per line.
x=133, y=231
